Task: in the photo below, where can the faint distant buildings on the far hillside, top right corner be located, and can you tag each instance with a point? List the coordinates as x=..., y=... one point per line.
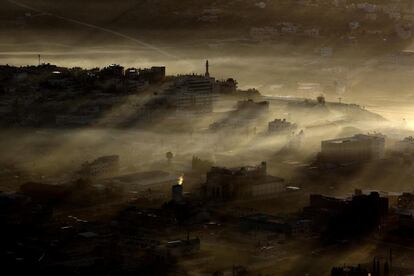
x=398, y=15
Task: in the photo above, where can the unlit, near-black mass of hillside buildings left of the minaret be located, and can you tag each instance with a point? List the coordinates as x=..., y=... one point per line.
x=25, y=89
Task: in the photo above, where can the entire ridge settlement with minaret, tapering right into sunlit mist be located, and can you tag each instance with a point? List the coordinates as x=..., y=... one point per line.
x=51, y=96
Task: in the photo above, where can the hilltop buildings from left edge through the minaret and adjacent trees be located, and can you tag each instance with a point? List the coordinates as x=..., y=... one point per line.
x=103, y=93
